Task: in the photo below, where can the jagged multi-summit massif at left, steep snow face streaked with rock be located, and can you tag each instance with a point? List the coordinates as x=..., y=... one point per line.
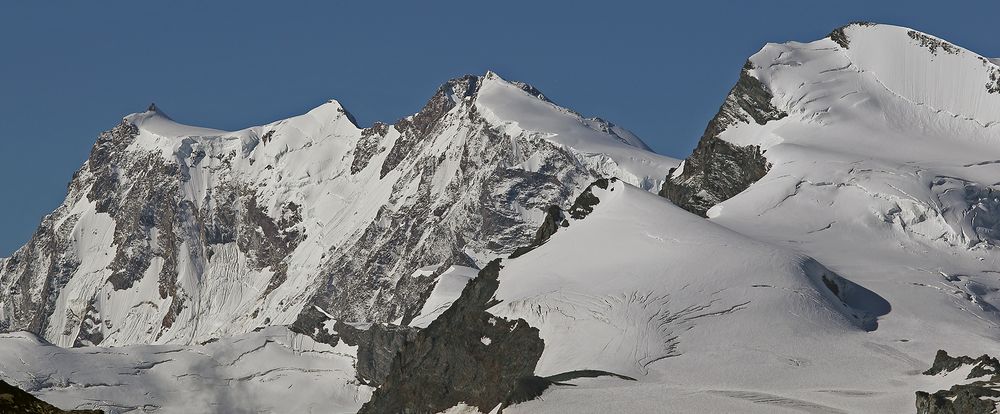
x=177, y=234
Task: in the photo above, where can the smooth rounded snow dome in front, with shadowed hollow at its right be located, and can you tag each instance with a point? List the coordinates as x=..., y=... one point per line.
x=628, y=284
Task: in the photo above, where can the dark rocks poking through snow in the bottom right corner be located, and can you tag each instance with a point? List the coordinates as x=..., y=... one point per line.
x=978, y=396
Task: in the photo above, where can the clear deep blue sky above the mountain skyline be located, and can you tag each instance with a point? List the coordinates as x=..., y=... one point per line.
x=659, y=68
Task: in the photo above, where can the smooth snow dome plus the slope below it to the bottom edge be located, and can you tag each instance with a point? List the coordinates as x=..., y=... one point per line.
x=705, y=319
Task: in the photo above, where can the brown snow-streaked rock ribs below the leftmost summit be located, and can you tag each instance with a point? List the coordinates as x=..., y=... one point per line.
x=141, y=192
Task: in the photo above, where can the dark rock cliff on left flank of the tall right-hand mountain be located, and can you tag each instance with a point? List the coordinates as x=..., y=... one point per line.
x=718, y=170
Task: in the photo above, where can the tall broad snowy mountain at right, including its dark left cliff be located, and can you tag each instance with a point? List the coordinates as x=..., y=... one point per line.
x=874, y=151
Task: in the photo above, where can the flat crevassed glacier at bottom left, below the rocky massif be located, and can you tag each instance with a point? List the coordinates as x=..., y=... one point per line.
x=272, y=370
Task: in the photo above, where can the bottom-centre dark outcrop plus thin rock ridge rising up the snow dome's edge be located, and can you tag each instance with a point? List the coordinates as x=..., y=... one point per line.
x=467, y=355
